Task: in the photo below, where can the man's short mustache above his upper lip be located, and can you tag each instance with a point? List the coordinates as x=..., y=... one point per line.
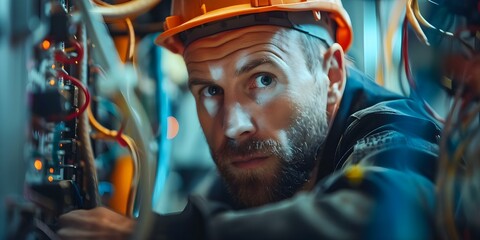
x=232, y=148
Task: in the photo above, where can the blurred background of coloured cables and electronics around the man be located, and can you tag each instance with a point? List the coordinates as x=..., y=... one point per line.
x=86, y=98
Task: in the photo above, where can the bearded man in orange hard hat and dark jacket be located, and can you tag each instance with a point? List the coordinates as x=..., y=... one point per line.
x=306, y=147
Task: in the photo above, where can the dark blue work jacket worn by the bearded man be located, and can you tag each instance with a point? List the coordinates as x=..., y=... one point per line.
x=376, y=181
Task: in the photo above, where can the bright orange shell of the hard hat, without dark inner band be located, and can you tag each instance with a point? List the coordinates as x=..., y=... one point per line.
x=190, y=14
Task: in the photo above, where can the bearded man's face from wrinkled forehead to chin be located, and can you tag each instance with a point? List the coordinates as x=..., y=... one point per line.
x=262, y=111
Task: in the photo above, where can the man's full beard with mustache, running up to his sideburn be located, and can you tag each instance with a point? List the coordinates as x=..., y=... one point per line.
x=291, y=168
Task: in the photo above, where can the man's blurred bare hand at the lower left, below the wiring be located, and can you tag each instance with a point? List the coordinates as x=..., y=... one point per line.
x=97, y=223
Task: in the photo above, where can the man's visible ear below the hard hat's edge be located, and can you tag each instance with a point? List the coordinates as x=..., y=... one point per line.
x=334, y=67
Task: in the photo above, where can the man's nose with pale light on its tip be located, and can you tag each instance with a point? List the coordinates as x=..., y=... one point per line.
x=238, y=123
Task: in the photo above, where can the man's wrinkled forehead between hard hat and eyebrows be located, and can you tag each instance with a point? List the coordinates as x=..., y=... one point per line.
x=277, y=40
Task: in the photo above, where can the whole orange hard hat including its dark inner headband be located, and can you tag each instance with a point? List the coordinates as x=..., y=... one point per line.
x=188, y=16
